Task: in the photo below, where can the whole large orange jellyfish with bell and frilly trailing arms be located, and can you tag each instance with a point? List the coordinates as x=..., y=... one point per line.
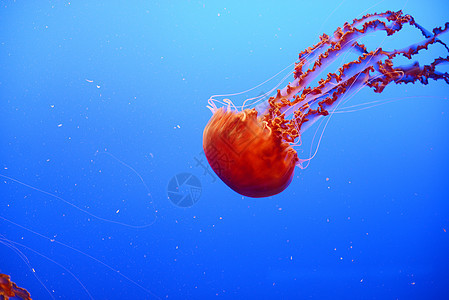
x=251, y=149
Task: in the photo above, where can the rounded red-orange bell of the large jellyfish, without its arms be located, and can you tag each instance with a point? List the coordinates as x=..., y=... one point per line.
x=246, y=154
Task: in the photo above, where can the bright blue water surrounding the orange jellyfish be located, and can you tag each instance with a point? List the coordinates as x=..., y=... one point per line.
x=104, y=102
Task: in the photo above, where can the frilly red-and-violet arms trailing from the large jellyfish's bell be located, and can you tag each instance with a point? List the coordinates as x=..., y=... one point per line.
x=373, y=68
